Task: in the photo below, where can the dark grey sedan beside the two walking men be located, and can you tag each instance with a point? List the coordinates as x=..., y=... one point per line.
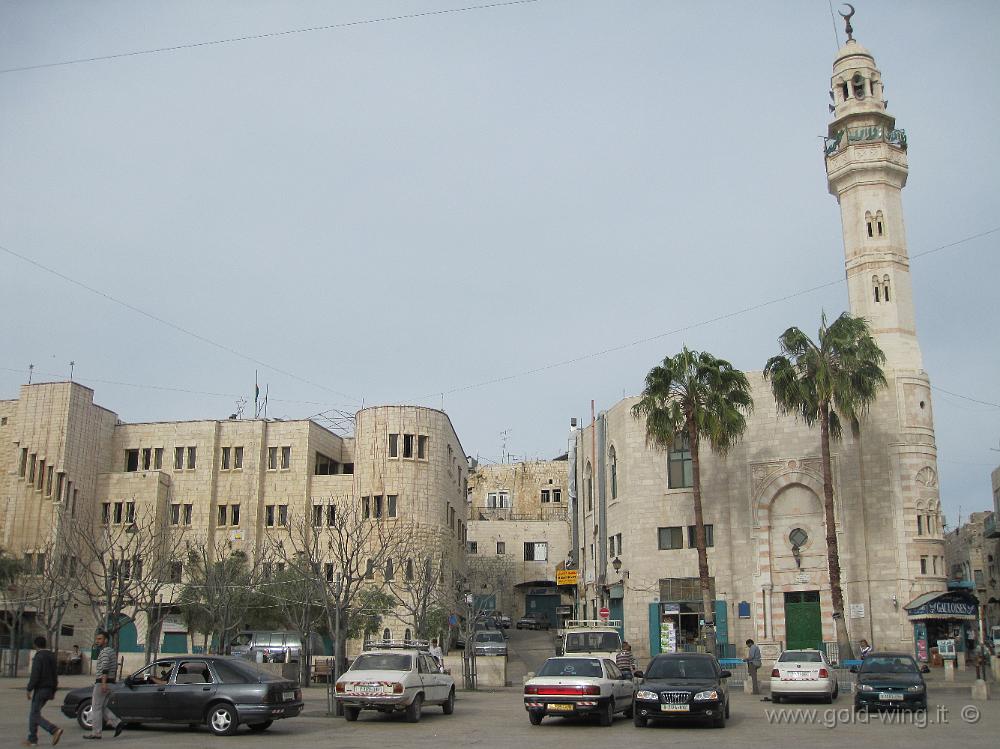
x=219, y=691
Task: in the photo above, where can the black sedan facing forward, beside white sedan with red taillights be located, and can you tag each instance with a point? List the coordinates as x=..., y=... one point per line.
x=683, y=685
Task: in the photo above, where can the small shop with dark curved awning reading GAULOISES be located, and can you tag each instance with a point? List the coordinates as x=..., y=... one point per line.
x=943, y=615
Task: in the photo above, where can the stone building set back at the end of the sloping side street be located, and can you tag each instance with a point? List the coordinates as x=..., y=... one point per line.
x=519, y=536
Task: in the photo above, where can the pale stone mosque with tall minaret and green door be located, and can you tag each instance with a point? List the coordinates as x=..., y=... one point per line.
x=763, y=502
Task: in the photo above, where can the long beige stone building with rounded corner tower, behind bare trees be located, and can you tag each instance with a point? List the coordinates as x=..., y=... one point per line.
x=241, y=483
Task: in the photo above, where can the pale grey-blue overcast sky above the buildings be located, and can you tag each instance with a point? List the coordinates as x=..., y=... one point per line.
x=506, y=211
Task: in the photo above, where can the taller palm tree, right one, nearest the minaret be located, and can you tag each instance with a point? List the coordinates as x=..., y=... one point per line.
x=829, y=381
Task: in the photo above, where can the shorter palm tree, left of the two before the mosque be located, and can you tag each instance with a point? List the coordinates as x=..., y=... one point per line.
x=696, y=395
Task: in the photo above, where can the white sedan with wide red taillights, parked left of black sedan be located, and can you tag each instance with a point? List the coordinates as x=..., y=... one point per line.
x=570, y=686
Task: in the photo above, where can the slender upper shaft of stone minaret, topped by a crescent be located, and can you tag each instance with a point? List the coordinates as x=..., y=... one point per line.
x=866, y=170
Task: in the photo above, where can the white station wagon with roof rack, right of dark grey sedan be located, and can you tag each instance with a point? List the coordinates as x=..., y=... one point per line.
x=390, y=677
